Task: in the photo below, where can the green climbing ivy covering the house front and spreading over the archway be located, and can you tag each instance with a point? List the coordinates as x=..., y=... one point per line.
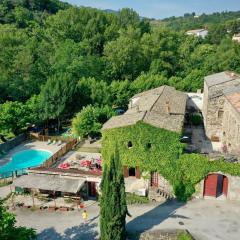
x=155, y=149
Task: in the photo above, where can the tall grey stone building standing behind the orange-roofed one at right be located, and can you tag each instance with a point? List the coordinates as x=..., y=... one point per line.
x=213, y=102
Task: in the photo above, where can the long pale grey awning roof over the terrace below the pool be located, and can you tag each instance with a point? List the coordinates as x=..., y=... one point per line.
x=50, y=183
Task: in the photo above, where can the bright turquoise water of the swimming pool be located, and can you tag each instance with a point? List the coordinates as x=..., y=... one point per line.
x=25, y=159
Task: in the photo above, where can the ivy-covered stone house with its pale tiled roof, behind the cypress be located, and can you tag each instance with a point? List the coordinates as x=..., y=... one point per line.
x=148, y=136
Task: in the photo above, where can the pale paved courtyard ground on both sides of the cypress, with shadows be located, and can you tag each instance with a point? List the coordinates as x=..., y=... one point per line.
x=205, y=219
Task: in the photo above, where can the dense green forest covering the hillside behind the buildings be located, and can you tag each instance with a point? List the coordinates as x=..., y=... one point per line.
x=59, y=62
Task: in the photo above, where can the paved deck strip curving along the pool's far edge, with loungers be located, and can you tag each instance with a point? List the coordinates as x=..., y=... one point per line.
x=29, y=145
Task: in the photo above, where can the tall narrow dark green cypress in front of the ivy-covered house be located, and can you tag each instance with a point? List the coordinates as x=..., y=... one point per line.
x=113, y=200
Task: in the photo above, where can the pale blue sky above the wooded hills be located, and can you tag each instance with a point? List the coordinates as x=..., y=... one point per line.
x=163, y=8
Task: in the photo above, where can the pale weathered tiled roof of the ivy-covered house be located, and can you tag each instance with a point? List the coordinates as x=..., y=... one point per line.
x=162, y=107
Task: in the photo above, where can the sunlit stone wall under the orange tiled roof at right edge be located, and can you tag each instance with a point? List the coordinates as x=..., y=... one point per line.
x=231, y=129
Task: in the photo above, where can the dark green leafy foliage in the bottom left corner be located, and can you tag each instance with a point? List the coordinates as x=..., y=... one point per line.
x=8, y=230
